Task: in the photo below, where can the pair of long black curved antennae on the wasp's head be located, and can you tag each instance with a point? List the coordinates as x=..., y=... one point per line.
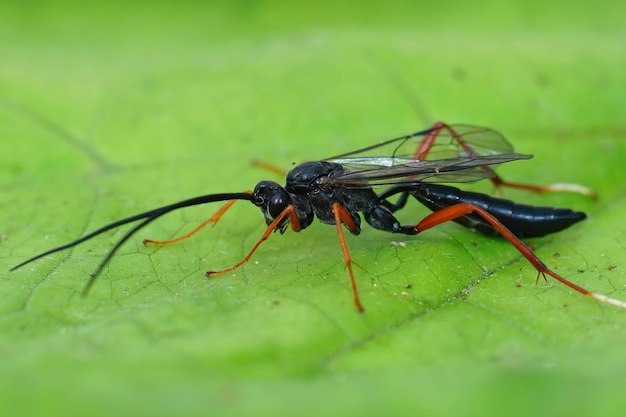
x=149, y=216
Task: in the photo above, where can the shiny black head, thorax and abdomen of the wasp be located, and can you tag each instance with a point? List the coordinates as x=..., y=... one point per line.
x=311, y=189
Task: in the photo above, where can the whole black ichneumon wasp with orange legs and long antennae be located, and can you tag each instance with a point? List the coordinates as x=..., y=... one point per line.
x=339, y=189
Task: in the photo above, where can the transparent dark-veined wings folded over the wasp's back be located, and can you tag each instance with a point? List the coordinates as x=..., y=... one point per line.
x=448, y=153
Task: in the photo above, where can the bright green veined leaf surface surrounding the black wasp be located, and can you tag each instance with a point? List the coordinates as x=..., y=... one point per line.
x=114, y=108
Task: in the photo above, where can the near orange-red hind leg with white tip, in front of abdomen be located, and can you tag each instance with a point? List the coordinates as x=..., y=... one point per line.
x=461, y=209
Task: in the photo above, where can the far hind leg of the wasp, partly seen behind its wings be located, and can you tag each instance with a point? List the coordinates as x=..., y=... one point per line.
x=429, y=140
